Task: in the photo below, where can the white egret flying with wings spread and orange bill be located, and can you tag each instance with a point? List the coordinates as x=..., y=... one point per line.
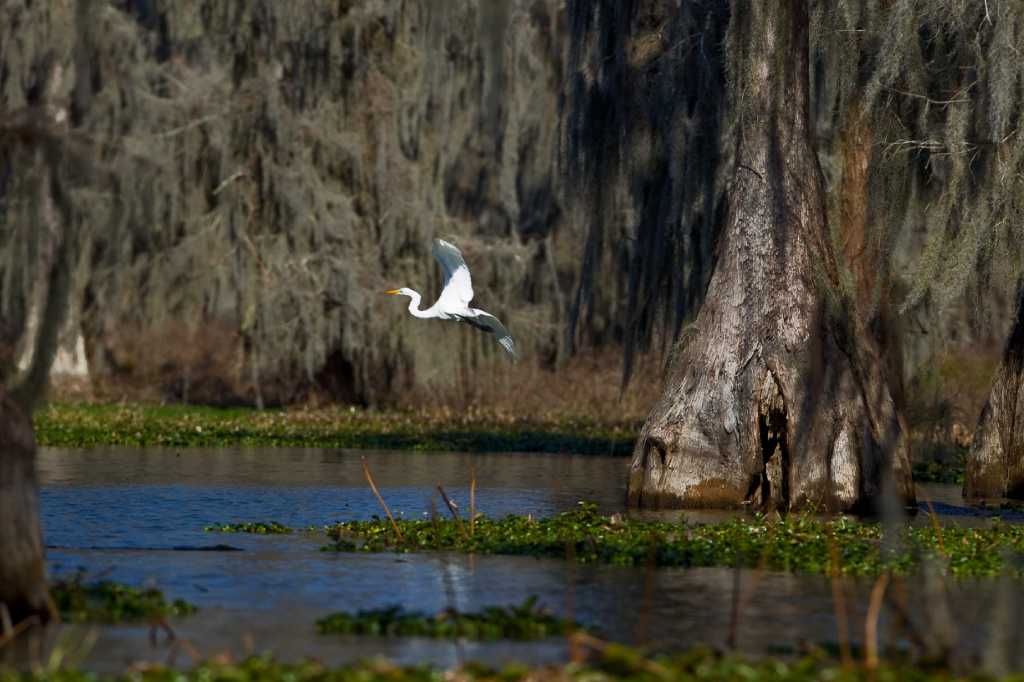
x=455, y=299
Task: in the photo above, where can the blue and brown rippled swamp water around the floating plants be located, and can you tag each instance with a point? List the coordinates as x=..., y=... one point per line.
x=138, y=517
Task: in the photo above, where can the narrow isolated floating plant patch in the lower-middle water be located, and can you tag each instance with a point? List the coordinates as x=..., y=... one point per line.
x=526, y=622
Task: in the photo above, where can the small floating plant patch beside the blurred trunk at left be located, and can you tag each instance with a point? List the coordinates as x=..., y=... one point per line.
x=105, y=602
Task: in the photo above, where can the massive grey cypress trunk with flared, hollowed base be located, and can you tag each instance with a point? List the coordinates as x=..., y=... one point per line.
x=778, y=397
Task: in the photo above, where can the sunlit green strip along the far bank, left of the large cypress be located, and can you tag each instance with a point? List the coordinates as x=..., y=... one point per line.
x=82, y=425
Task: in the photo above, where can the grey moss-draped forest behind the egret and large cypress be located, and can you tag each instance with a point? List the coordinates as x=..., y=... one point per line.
x=242, y=181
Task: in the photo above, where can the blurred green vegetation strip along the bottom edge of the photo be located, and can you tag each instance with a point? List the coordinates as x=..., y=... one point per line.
x=615, y=664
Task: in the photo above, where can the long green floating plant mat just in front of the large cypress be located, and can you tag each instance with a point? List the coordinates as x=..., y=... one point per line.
x=794, y=543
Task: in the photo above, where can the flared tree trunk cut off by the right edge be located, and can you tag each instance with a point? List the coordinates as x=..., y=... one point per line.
x=996, y=463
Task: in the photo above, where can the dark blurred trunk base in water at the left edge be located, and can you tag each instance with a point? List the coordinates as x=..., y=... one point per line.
x=23, y=579
